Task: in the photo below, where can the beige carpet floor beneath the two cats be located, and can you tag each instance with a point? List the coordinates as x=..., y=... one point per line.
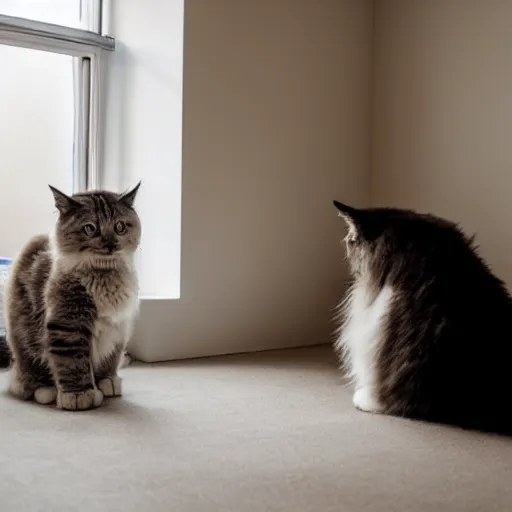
x=263, y=432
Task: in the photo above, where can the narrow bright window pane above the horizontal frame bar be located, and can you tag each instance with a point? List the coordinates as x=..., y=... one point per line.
x=60, y=12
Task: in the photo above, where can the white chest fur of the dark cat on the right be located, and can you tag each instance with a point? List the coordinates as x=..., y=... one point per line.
x=361, y=335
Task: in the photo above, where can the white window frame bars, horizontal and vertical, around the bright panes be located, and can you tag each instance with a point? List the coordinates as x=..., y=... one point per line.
x=88, y=47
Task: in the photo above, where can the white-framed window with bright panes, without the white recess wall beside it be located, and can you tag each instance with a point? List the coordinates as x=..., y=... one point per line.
x=51, y=55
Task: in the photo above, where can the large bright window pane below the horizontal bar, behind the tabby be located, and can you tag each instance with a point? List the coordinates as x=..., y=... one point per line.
x=36, y=141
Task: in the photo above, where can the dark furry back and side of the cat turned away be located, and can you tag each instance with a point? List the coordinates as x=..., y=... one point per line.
x=446, y=347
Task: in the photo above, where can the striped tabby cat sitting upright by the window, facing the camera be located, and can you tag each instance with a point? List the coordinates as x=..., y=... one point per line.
x=71, y=300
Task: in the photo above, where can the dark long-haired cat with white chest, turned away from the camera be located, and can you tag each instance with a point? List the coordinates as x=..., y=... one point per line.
x=426, y=328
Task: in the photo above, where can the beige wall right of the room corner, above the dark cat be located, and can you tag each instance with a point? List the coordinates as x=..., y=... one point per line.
x=443, y=115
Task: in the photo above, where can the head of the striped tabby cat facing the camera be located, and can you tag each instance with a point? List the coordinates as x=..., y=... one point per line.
x=98, y=223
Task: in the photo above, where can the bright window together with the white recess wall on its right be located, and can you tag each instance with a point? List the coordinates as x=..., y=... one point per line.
x=79, y=115
